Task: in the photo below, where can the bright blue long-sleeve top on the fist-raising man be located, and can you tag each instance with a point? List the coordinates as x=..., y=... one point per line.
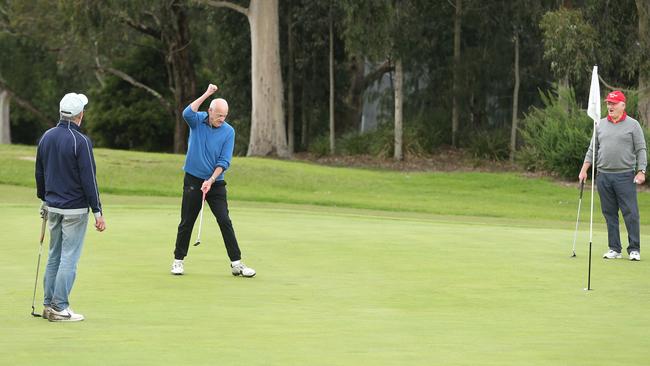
x=208, y=147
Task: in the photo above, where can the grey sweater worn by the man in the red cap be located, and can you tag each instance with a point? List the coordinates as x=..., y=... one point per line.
x=620, y=147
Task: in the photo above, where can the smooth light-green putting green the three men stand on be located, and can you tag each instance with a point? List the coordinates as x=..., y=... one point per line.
x=334, y=287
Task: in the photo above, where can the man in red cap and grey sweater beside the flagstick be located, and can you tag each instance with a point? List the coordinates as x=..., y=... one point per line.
x=621, y=163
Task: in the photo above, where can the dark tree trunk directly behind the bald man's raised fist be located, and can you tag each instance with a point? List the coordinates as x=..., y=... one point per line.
x=184, y=78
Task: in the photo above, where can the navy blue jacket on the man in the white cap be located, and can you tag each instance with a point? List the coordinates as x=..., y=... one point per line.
x=65, y=169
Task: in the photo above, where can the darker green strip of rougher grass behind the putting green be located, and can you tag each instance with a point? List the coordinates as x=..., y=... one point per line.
x=499, y=195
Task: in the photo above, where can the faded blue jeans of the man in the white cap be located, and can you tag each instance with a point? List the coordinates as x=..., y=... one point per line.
x=67, y=234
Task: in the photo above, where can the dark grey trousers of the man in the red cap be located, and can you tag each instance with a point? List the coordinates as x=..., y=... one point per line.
x=618, y=191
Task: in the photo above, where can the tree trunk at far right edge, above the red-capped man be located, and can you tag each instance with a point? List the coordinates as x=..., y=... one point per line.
x=643, y=7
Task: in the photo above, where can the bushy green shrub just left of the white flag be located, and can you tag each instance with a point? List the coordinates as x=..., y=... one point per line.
x=556, y=136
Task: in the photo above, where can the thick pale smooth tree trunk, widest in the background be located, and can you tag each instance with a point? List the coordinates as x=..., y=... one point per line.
x=267, y=123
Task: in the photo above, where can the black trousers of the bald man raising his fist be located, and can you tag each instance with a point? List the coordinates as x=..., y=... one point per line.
x=190, y=208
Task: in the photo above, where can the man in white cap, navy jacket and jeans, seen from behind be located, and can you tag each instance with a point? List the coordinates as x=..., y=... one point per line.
x=67, y=185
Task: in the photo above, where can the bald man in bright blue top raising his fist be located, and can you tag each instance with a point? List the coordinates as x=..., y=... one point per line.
x=209, y=152
